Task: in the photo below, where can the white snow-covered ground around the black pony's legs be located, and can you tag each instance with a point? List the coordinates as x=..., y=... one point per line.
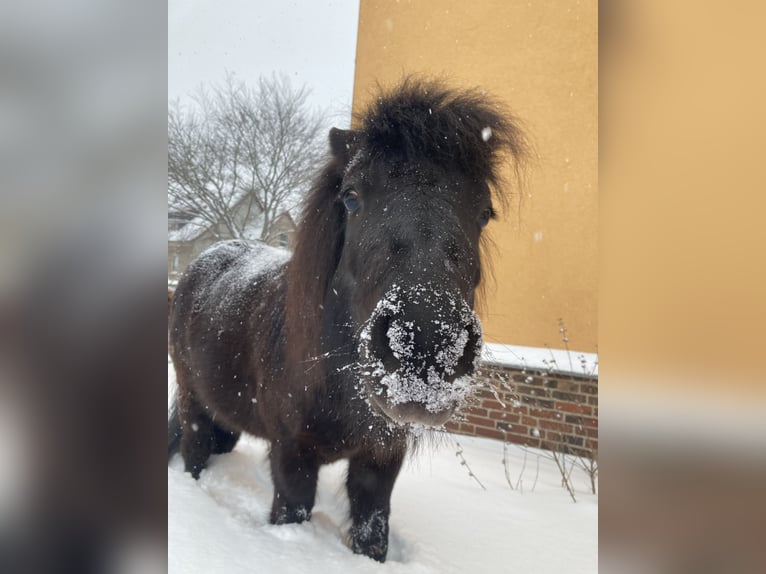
x=442, y=521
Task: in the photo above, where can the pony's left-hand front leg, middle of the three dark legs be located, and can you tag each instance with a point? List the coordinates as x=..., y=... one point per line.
x=294, y=471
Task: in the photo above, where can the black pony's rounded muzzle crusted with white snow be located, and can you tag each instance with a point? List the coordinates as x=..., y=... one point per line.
x=419, y=349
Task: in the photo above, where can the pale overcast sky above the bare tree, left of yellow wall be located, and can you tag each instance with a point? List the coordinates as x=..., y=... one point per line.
x=311, y=41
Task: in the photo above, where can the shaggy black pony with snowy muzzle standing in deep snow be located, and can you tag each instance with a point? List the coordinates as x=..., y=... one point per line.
x=368, y=331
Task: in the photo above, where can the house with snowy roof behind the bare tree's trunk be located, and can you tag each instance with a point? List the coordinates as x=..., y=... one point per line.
x=188, y=236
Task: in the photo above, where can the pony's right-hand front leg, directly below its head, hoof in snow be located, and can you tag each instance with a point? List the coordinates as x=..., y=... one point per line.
x=369, y=485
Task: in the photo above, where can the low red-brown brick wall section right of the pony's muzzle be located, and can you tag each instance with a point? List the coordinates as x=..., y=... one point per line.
x=535, y=408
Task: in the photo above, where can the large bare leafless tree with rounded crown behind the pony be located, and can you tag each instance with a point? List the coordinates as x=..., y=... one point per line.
x=242, y=152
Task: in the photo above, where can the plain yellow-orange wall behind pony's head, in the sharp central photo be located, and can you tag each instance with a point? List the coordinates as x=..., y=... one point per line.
x=541, y=59
